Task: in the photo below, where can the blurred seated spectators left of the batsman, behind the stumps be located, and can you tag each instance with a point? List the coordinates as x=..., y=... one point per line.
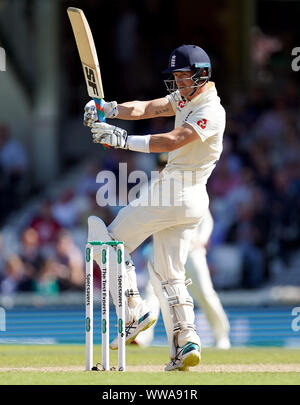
x=48, y=258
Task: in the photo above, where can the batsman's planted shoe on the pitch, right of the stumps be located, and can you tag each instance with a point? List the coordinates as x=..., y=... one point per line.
x=186, y=356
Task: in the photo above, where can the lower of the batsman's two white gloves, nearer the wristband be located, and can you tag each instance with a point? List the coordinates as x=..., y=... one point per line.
x=109, y=135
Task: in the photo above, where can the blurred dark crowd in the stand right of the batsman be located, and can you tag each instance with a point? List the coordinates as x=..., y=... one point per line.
x=255, y=188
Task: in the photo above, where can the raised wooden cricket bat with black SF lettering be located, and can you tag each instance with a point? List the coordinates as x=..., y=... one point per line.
x=88, y=56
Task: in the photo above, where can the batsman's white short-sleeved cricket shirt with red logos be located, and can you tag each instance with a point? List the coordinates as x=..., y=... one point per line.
x=207, y=116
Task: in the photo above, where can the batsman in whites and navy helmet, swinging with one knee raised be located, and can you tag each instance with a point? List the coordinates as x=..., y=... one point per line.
x=194, y=146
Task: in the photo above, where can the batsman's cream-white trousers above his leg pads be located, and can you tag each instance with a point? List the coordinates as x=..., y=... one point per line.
x=172, y=228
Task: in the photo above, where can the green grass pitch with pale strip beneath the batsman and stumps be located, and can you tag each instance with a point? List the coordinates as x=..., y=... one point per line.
x=64, y=365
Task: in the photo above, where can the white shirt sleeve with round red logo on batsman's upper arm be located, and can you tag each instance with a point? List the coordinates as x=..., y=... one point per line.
x=206, y=123
